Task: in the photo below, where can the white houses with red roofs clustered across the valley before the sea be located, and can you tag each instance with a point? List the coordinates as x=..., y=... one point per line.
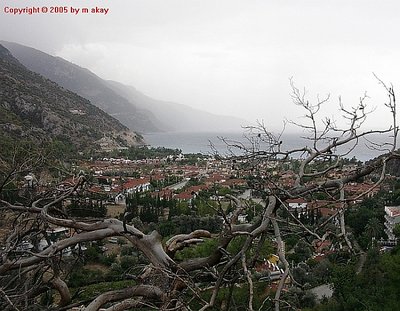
x=174, y=195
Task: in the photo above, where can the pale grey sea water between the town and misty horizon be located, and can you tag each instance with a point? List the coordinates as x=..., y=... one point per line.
x=201, y=143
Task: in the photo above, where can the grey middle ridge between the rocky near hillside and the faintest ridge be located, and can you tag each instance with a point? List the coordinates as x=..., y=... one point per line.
x=86, y=84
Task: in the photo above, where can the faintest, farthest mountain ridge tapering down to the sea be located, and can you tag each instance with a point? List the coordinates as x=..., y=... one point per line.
x=180, y=117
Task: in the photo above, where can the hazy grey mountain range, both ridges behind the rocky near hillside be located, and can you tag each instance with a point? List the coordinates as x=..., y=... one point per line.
x=132, y=108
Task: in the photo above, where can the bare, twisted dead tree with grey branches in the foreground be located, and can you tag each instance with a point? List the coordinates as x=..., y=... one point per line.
x=167, y=283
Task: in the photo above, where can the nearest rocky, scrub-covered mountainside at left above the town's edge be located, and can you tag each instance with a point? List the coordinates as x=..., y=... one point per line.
x=39, y=111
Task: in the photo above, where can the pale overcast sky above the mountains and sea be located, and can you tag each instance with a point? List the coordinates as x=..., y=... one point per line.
x=232, y=57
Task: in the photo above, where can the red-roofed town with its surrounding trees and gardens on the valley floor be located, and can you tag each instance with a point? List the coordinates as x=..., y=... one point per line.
x=179, y=194
